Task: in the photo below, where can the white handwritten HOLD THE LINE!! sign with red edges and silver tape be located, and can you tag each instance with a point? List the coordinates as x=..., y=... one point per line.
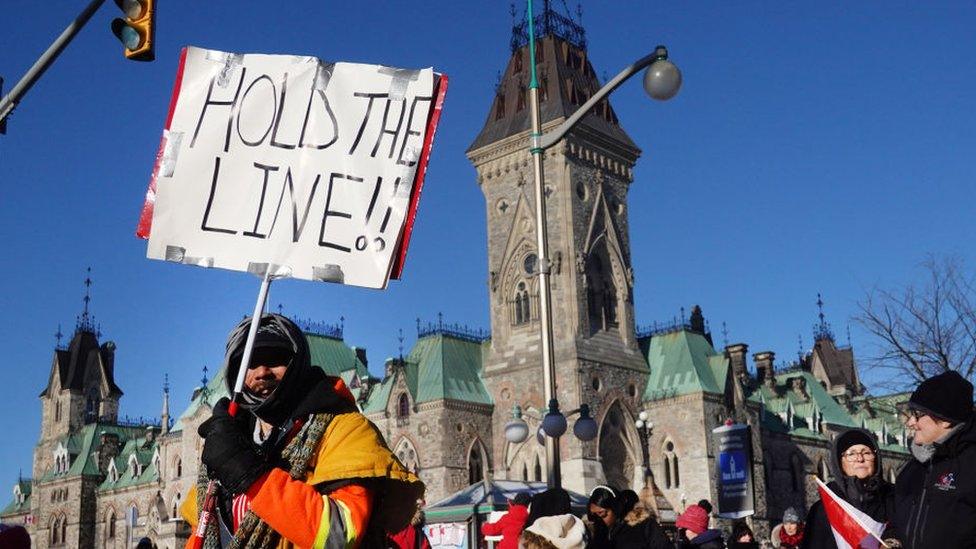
x=291, y=165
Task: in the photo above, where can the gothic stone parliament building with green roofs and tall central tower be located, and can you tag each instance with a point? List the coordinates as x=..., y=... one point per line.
x=99, y=482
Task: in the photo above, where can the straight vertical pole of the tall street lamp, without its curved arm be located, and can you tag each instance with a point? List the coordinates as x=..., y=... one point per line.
x=554, y=478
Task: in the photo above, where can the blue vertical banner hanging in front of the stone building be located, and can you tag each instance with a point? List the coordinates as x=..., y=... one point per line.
x=733, y=466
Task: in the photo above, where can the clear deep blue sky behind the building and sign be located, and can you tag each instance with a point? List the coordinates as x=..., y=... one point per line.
x=814, y=148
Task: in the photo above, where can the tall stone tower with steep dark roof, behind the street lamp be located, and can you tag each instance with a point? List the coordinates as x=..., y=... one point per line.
x=588, y=175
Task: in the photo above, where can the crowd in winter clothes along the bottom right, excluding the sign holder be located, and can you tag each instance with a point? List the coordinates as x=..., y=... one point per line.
x=932, y=504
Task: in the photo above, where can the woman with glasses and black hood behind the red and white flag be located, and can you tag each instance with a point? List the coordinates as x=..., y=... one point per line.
x=855, y=466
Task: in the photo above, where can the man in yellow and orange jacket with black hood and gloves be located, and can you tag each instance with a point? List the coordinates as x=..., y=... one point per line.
x=299, y=466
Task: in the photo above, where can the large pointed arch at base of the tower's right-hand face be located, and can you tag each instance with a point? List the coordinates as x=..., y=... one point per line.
x=618, y=447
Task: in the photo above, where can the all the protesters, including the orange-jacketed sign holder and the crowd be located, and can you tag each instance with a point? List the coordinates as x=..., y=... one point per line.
x=300, y=466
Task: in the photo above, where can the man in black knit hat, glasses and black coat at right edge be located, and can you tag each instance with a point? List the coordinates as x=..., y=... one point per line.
x=935, y=493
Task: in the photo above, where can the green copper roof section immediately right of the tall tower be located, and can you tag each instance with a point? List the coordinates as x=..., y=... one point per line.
x=682, y=362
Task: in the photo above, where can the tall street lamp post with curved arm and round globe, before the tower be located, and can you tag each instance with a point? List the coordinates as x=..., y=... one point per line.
x=661, y=82
